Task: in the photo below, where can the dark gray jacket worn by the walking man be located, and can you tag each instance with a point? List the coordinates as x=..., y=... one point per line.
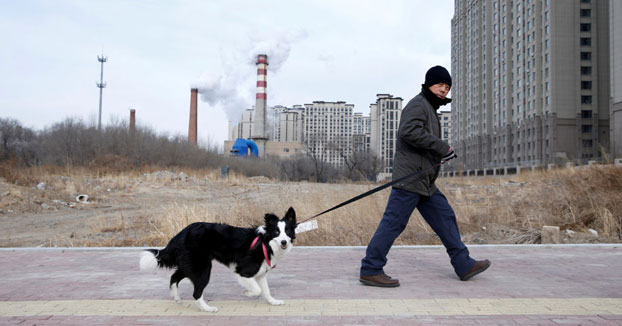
x=419, y=147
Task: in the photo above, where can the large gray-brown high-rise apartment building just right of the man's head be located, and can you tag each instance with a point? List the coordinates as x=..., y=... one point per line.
x=531, y=81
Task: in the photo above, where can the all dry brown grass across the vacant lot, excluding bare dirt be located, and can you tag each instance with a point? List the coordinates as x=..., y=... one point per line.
x=509, y=209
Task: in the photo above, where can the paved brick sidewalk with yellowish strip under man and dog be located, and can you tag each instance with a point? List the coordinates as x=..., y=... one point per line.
x=526, y=285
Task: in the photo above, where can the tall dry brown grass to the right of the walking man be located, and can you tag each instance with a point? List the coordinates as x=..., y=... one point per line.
x=573, y=198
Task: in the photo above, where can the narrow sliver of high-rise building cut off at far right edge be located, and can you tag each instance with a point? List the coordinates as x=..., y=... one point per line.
x=615, y=57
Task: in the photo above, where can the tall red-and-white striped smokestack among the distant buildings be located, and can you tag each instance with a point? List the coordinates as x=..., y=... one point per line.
x=259, y=130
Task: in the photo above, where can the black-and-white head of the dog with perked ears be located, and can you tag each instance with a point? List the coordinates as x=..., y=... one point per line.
x=280, y=233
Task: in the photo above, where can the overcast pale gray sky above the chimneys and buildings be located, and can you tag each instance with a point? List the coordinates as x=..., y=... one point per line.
x=337, y=50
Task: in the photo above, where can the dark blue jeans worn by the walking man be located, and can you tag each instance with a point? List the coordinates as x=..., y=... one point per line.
x=439, y=215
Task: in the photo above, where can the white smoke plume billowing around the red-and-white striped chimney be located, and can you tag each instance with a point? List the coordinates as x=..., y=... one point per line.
x=234, y=89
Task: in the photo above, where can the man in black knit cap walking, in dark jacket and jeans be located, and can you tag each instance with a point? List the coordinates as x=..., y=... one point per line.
x=419, y=148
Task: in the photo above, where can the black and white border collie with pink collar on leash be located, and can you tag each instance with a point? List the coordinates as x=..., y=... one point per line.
x=249, y=252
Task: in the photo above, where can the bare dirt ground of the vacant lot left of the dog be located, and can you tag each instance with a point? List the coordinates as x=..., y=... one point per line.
x=43, y=216
